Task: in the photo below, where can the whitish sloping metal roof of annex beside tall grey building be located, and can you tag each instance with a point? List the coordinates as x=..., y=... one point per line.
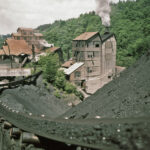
x=73, y=68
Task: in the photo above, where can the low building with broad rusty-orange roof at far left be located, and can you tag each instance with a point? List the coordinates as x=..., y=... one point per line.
x=17, y=52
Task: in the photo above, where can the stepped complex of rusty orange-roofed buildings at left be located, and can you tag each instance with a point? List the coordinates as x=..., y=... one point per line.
x=26, y=45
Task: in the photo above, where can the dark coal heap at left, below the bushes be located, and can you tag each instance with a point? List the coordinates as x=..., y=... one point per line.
x=34, y=100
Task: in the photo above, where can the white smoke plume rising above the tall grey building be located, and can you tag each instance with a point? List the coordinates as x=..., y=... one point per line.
x=103, y=10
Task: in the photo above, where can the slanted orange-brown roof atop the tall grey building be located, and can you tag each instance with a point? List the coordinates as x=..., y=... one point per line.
x=85, y=36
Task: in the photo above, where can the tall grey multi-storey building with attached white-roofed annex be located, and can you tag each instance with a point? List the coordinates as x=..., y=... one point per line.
x=93, y=62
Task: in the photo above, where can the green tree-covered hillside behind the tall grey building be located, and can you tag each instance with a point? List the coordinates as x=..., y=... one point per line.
x=130, y=21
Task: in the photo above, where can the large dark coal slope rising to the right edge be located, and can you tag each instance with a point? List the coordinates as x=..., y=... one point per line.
x=126, y=96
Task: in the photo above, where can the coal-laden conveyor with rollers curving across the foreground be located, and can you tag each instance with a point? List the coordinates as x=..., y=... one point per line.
x=28, y=132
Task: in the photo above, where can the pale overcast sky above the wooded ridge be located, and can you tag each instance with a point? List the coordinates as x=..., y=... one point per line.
x=32, y=13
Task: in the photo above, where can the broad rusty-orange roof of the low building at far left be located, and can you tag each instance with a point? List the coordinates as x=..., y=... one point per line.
x=17, y=47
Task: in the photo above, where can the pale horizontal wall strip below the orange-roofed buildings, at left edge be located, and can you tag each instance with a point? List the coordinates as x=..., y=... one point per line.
x=15, y=72
